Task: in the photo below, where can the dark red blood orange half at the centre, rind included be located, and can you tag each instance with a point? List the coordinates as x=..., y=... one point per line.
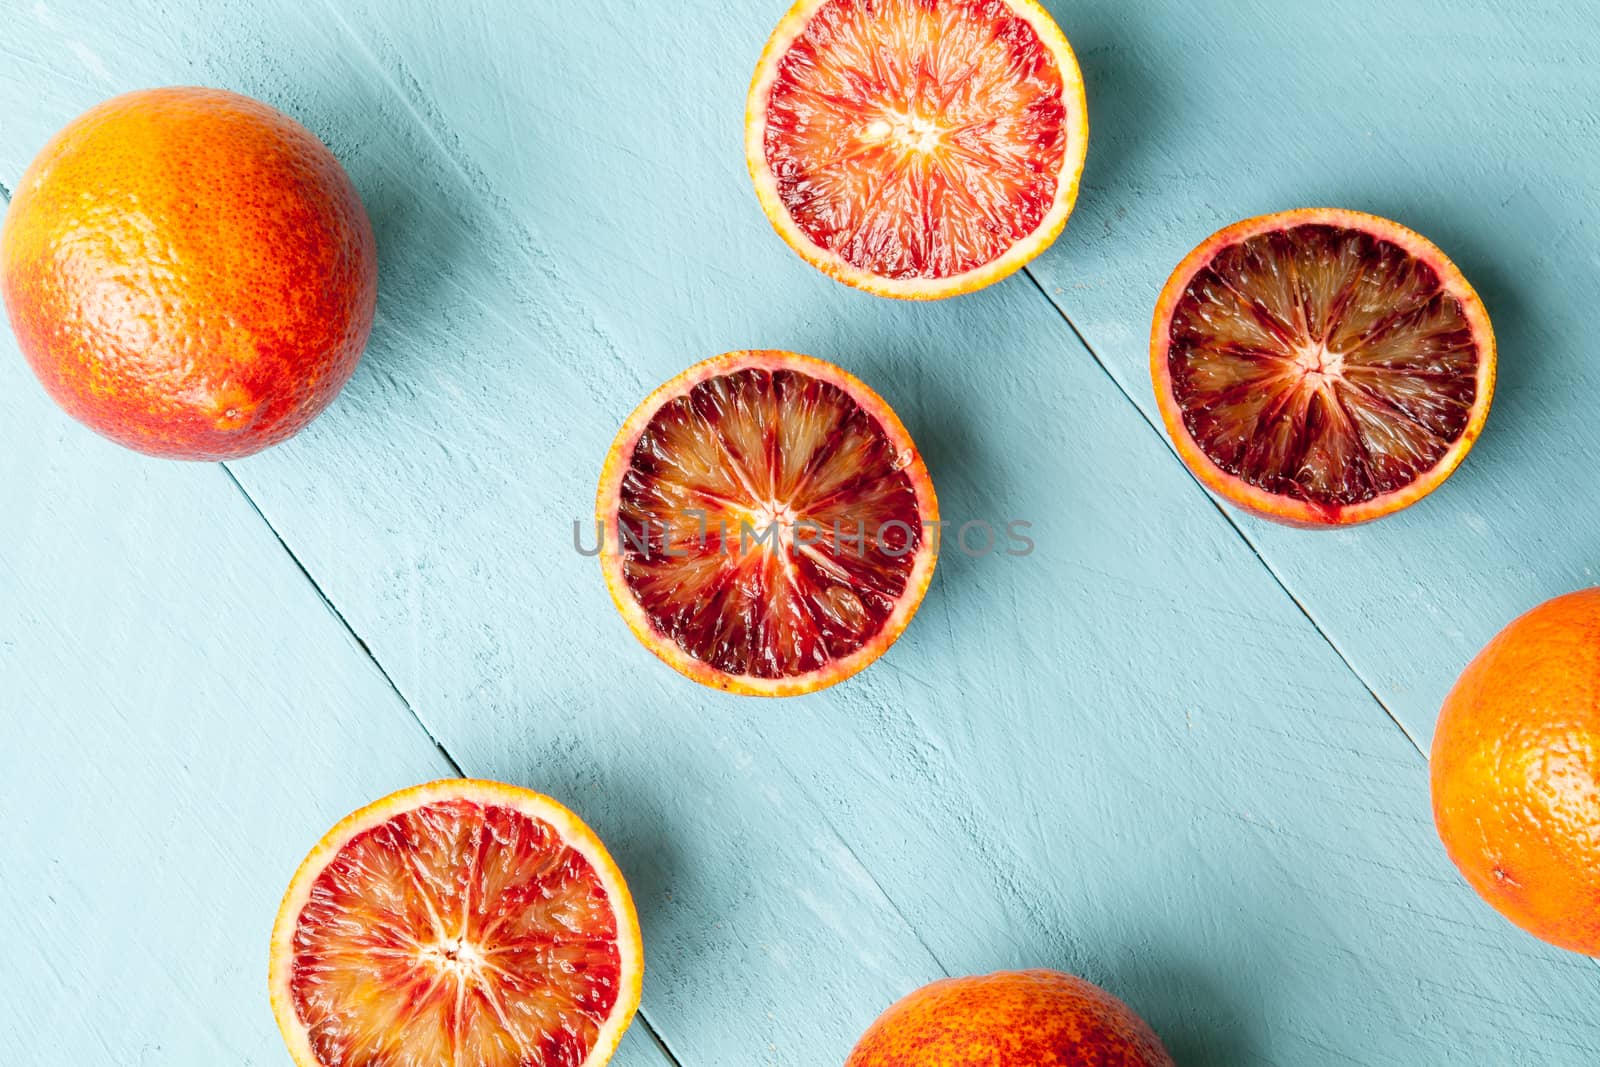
x=767, y=526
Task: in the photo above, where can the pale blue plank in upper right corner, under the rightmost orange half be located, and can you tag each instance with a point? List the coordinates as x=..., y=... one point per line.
x=1466, y=121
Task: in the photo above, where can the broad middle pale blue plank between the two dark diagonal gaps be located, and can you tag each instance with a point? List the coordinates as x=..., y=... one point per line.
x=1129, y=756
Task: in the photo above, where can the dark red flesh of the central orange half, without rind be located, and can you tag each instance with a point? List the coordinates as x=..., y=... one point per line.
x=790, y=458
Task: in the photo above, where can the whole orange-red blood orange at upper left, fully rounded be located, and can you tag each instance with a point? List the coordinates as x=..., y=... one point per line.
x=190, y=273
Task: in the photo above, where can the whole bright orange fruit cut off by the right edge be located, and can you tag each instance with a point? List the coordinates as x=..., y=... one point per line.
x=1516, y=773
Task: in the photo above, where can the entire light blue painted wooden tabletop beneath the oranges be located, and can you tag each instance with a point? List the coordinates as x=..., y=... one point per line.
x=1175, y=751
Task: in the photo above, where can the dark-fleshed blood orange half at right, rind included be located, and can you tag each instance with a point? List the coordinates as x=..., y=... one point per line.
x=1322, y=367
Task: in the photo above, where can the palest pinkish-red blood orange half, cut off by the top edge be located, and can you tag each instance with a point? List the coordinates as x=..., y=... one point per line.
x=918, y=148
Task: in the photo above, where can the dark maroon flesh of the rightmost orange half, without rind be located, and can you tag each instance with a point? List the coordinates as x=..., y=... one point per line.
x=1322, y=364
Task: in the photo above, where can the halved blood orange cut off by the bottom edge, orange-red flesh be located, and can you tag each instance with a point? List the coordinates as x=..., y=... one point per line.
x=457, y=924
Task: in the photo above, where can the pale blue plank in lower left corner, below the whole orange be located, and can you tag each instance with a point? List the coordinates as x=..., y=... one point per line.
x=183, y=721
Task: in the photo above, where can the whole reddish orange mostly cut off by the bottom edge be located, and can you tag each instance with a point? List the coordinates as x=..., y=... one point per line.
x=1010, y=1020
